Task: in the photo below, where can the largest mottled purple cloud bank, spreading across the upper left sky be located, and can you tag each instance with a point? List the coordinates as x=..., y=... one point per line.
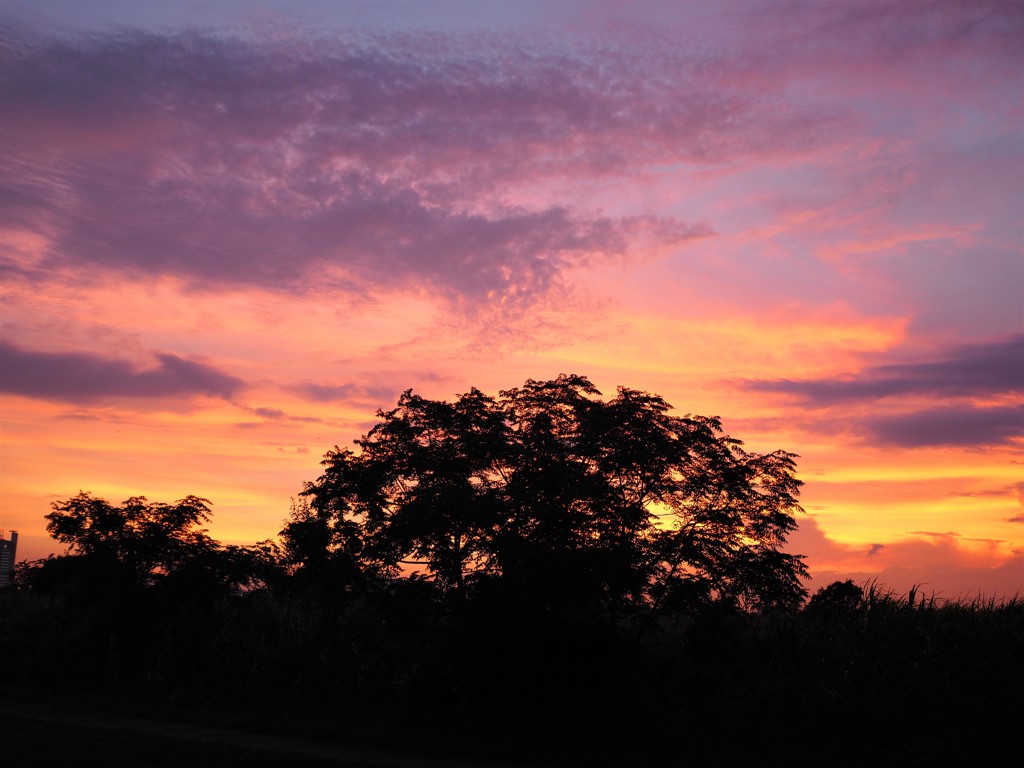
x=361, y=165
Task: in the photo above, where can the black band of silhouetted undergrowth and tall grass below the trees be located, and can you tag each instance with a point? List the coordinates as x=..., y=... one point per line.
x=886, y=682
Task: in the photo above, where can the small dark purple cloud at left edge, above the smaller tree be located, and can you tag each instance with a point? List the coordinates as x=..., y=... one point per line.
x=80, y=377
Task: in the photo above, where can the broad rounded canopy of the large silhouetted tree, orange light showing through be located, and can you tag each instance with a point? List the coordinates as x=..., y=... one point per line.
x=564, y=496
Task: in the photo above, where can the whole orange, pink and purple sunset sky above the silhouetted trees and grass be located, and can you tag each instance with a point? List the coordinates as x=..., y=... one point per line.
x=230, y=232
